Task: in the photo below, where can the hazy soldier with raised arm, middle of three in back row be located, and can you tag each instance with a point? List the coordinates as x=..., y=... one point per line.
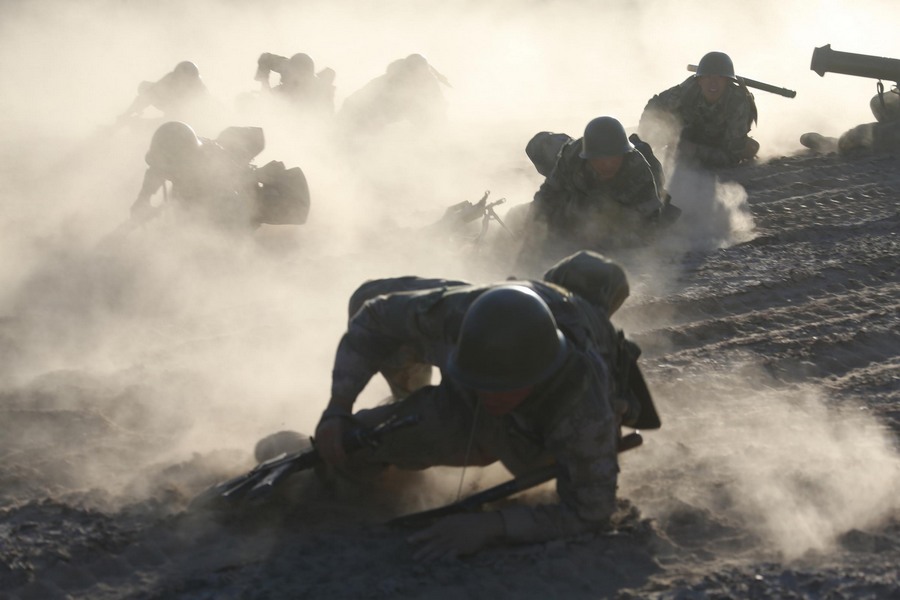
x=299, y=83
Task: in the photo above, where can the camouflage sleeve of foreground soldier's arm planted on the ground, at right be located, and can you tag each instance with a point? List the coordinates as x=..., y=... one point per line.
x=584, y=444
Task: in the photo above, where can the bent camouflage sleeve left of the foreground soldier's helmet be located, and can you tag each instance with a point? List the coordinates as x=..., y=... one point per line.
x=376, y=332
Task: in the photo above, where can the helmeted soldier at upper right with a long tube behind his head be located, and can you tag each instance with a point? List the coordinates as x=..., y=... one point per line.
x=708, y=116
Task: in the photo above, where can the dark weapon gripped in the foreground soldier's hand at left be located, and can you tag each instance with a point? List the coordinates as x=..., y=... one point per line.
x=259, y=482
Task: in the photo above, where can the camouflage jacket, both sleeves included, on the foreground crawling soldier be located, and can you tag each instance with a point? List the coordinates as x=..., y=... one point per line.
x=568, y=418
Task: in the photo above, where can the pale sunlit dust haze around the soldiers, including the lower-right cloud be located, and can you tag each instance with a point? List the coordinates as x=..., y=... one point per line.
x=205, y=343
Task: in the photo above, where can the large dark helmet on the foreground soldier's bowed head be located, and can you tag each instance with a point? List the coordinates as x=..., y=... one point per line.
x=508, y=340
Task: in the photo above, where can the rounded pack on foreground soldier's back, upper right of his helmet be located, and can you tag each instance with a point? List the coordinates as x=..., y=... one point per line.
x=592, y=276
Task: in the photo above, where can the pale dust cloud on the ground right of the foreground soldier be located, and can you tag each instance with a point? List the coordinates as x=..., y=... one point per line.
x=785, y=467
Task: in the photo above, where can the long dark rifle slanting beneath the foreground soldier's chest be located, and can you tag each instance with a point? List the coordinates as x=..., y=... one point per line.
x=499, y=492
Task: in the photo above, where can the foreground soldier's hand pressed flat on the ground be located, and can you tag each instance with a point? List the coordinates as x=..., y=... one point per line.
x=457, y=535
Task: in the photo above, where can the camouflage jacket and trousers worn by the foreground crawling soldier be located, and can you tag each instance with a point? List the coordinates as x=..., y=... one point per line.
x=568, y=418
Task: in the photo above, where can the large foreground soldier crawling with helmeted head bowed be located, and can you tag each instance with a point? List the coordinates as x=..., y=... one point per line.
x=528, y=379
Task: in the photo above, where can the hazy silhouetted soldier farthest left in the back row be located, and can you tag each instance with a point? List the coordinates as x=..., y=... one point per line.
x=176, y=95
